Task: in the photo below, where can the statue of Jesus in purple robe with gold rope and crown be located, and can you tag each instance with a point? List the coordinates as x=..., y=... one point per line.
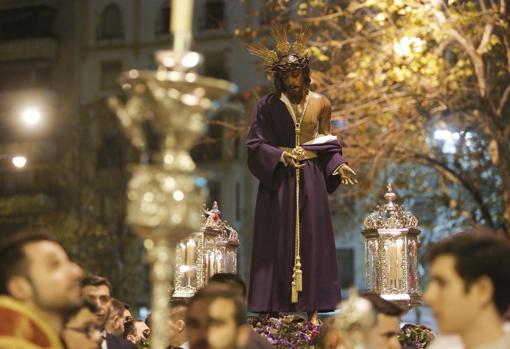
x=298, y=162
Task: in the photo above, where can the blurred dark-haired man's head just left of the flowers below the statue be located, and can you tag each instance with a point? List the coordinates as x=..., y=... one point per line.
x=216, y=319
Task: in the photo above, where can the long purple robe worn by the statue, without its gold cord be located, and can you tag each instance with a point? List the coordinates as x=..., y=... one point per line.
x=274, y=232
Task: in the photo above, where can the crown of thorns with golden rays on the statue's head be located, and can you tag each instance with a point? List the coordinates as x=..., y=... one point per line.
x=285, y=56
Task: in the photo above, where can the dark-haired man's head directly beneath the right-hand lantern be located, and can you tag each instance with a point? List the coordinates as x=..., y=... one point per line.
x=384, y=335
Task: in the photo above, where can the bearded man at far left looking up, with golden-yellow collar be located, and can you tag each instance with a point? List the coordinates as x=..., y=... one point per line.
x=39, y=290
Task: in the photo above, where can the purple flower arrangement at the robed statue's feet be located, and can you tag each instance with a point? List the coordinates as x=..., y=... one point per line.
x=287, y=332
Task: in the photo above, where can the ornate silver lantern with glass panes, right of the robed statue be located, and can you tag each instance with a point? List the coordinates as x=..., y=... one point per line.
x=391, y=253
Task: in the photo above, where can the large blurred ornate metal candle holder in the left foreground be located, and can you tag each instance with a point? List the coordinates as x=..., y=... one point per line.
x=163, y=115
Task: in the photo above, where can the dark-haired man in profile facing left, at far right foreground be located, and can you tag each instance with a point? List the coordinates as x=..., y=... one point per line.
x=469, y=287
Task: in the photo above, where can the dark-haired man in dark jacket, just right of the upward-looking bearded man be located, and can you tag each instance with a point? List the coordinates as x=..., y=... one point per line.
x=98, y=290
